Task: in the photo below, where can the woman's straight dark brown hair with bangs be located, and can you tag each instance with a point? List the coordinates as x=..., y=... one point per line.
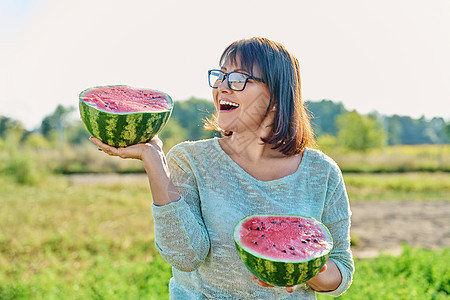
x=280, y=70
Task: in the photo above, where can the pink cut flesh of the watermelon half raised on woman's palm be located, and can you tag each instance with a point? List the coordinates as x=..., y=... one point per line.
x=123, y=99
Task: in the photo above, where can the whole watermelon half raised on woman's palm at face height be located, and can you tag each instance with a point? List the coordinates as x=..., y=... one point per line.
x=121, y=115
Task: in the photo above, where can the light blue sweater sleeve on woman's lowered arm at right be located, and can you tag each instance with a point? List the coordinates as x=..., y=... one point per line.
x=336, y=217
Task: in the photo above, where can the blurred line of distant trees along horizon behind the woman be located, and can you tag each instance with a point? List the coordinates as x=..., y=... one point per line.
x=333, y=125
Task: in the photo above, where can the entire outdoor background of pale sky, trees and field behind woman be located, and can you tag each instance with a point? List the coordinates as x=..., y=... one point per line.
x=76, y=224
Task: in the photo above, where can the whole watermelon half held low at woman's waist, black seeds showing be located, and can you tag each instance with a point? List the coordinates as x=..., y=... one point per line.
x=282, y=250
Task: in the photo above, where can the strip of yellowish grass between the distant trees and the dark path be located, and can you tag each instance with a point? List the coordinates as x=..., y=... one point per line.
x=27, y=164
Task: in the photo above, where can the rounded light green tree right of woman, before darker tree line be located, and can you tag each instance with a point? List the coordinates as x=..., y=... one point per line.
x=358, y=132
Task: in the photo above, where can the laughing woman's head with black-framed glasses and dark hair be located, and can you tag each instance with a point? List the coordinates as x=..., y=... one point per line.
x=274, y=91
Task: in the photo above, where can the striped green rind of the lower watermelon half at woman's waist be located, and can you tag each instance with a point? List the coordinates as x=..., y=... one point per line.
x=281, y=272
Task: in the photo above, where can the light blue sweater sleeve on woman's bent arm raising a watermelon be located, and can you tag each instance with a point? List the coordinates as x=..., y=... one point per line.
x=180, y=233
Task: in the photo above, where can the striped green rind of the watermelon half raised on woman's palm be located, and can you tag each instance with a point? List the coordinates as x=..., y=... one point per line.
x=123, y=129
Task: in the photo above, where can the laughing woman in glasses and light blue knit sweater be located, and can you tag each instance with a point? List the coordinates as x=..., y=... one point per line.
x=264, y=163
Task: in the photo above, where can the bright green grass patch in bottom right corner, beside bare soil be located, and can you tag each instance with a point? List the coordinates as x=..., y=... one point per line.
x=416, y=274
